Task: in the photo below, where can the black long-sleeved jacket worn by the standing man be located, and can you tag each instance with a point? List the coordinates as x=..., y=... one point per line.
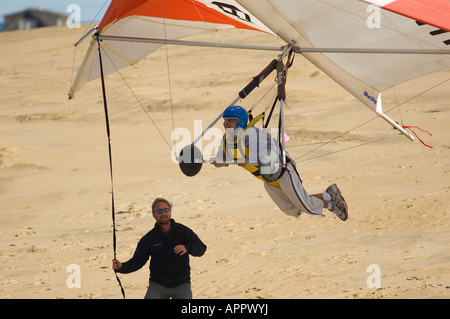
x=166, y=267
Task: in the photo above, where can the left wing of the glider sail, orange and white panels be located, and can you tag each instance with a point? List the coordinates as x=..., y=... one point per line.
x=132, y=29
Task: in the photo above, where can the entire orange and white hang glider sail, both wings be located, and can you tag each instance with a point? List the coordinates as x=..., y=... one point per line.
x=364, y=50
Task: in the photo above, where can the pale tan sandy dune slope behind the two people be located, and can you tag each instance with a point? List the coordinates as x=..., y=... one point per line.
x=55, y=185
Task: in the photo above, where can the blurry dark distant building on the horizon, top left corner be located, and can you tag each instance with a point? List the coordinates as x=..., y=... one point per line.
x=33, y=18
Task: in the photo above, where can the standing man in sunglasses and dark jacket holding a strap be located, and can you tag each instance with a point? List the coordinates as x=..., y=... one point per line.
x=169, y=244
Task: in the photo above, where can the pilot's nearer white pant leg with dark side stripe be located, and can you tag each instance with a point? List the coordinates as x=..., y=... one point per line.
x=292, y=187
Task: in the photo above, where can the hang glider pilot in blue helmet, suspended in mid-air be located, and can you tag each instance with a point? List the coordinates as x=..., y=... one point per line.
x=257, y=152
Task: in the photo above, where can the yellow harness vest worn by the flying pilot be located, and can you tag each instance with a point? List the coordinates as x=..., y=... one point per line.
x=238, y=151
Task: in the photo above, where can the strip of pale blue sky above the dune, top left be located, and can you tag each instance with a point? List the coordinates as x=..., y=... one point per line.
x=88, y=8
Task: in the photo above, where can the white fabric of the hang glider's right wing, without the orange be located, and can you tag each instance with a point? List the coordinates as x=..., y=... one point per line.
x=353, y=24
